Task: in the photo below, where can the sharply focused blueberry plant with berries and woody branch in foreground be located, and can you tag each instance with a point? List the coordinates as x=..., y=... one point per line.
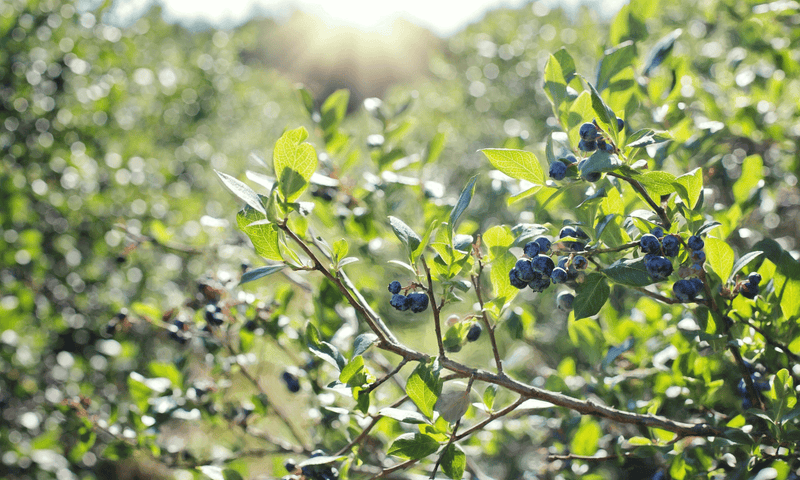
x=643, y=252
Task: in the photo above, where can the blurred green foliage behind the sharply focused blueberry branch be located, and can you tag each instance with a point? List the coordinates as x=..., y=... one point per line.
x=113, y=226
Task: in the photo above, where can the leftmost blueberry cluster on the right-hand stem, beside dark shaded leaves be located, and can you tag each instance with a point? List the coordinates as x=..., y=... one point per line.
x=537, y=270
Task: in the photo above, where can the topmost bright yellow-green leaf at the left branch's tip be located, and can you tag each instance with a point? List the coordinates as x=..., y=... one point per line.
x=294, y=162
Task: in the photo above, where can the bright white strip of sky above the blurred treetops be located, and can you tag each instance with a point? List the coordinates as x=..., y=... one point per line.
x=443, y=17
